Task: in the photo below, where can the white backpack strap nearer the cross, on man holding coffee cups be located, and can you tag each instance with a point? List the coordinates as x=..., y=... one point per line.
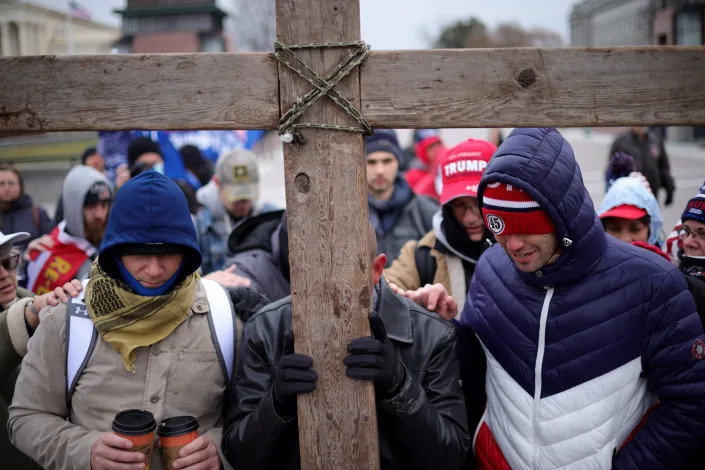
x=221, y=318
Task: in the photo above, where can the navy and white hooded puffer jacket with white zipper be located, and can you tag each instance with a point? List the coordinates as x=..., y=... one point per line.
x=579, y=352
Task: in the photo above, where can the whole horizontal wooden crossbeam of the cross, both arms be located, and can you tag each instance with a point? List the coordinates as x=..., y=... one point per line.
x=399, y=89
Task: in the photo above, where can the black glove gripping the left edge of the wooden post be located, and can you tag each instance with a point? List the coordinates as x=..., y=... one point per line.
x=294, y=376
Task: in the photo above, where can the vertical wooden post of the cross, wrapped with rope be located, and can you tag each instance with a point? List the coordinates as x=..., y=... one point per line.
x=326, y=194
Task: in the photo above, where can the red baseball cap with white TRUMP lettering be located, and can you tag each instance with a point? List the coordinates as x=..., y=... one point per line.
x=462, y=167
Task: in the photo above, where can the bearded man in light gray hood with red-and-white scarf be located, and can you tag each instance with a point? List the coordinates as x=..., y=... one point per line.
x=87, y=196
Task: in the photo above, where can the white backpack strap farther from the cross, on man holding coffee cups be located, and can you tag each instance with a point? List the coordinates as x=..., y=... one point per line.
x=81, y=337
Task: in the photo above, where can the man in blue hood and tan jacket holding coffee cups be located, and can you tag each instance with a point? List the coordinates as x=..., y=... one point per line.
x=154, y=345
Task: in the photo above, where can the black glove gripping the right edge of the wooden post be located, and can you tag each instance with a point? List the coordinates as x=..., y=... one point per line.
x=375, y=358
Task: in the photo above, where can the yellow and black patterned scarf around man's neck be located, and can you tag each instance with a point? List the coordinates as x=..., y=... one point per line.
x=127, y=320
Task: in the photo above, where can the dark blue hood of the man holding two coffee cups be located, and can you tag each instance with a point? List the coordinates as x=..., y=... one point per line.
x=150, y=208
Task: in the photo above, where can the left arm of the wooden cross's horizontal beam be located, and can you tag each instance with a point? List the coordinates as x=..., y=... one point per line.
x=152, y=91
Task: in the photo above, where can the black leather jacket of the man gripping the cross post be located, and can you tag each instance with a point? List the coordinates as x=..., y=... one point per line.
x=423, y=427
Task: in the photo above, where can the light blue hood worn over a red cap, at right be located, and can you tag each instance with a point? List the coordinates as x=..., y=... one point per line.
x=633, y=191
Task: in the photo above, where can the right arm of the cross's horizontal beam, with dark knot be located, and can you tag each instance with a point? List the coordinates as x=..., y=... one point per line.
x=535, y=87
